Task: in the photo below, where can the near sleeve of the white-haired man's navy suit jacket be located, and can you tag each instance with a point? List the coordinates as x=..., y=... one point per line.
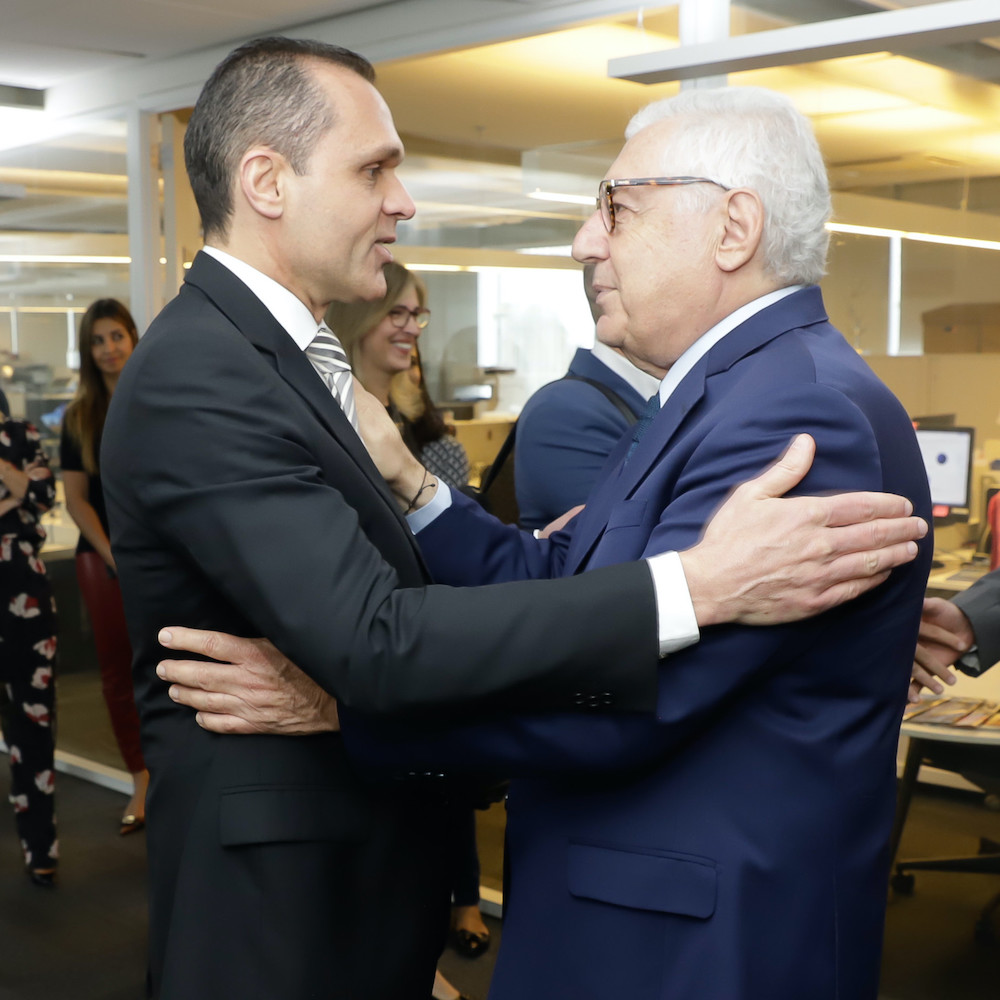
x=697, y=684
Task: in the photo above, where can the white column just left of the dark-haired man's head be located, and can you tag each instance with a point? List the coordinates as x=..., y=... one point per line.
x=144, y=236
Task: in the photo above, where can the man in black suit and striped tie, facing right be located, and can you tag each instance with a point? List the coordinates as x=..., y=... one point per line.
x=241, y=499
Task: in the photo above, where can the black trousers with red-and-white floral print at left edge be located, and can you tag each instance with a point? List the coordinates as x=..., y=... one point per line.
x=27, y=697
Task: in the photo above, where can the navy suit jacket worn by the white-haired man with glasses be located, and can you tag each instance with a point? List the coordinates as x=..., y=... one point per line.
x=734, y=845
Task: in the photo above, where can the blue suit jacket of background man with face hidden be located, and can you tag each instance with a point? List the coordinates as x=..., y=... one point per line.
x=564, y=435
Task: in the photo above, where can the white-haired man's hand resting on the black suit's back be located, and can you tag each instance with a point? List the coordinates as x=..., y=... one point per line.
x=252, y=688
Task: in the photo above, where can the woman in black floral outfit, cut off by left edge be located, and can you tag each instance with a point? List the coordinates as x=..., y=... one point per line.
x=27, y=645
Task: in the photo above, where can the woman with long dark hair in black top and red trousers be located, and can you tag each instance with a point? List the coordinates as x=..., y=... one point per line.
x=107, y=337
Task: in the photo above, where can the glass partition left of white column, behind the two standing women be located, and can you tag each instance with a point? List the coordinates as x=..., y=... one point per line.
x=63, y=243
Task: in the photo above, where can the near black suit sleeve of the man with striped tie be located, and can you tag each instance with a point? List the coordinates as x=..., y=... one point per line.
x=215, y=456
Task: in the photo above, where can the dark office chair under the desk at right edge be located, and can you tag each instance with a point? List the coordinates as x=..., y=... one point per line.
x=965, y=760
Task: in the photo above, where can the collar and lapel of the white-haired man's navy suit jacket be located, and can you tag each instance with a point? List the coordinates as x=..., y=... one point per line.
x=802, y=308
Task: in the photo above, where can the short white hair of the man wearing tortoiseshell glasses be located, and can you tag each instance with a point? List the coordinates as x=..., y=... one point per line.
x=755, y=138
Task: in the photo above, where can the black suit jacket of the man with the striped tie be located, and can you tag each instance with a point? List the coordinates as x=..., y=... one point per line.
x=241, y=499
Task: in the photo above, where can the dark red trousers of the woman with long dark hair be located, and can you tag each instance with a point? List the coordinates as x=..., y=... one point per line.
x=103, y=598
